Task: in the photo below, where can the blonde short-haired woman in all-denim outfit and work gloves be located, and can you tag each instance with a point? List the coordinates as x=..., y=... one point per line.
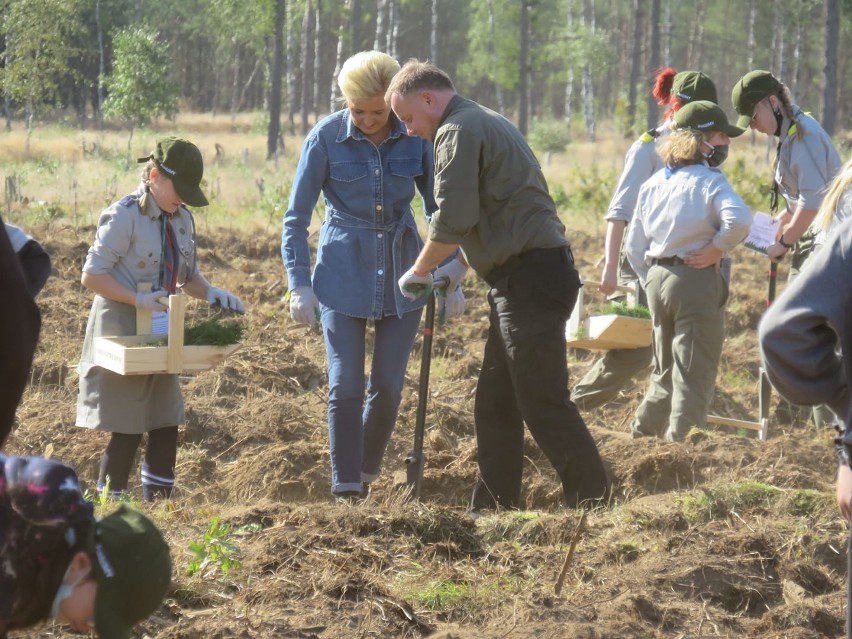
x=367, y=169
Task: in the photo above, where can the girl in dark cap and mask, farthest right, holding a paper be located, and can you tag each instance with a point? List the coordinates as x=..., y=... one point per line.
x=805, y=163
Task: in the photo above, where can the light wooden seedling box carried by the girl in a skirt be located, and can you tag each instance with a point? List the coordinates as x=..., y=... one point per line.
x=144, y=354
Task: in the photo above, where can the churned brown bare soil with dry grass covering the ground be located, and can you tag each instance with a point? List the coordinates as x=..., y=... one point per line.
x=723, y=535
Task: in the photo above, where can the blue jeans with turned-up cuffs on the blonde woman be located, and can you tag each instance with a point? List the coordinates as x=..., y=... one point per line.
x=359, y=430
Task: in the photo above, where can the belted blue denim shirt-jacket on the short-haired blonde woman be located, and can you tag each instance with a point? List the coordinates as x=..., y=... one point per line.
x=368, y=238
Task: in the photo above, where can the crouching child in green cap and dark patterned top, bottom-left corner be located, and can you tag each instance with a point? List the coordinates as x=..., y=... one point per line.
x=58, y=561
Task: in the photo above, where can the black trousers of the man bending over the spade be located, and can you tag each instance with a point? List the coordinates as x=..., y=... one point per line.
x=524, y=378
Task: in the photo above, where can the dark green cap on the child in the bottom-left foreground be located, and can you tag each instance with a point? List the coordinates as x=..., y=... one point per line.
x=133, y=570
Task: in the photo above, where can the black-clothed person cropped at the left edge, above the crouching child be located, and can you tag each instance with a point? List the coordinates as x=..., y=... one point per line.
x=19, y=327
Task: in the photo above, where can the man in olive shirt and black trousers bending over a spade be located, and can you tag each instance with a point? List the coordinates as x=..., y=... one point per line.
x=493, y=202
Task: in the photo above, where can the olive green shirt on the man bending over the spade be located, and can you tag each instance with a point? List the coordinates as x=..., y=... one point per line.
x=491, y=194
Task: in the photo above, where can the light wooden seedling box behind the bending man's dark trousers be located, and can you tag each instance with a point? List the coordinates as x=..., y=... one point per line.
x=629, y=326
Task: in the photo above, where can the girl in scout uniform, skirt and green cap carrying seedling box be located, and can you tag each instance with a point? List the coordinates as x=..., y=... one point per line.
x=146, y=237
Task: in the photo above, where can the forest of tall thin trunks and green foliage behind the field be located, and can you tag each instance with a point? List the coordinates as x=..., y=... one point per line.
x=555, y=67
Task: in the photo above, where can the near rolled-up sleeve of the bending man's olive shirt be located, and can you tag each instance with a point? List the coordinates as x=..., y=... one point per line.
x=456, y=187
